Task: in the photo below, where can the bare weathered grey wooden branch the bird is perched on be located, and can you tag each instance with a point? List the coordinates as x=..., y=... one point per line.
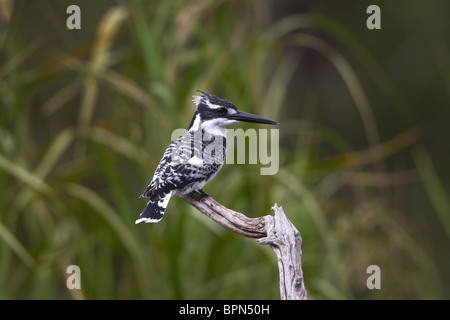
x=276, y=231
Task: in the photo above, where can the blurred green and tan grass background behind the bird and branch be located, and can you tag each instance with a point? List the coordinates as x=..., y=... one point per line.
x=85, y=116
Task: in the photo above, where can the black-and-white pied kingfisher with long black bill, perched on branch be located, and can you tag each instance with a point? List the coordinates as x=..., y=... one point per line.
x=194, y=159
